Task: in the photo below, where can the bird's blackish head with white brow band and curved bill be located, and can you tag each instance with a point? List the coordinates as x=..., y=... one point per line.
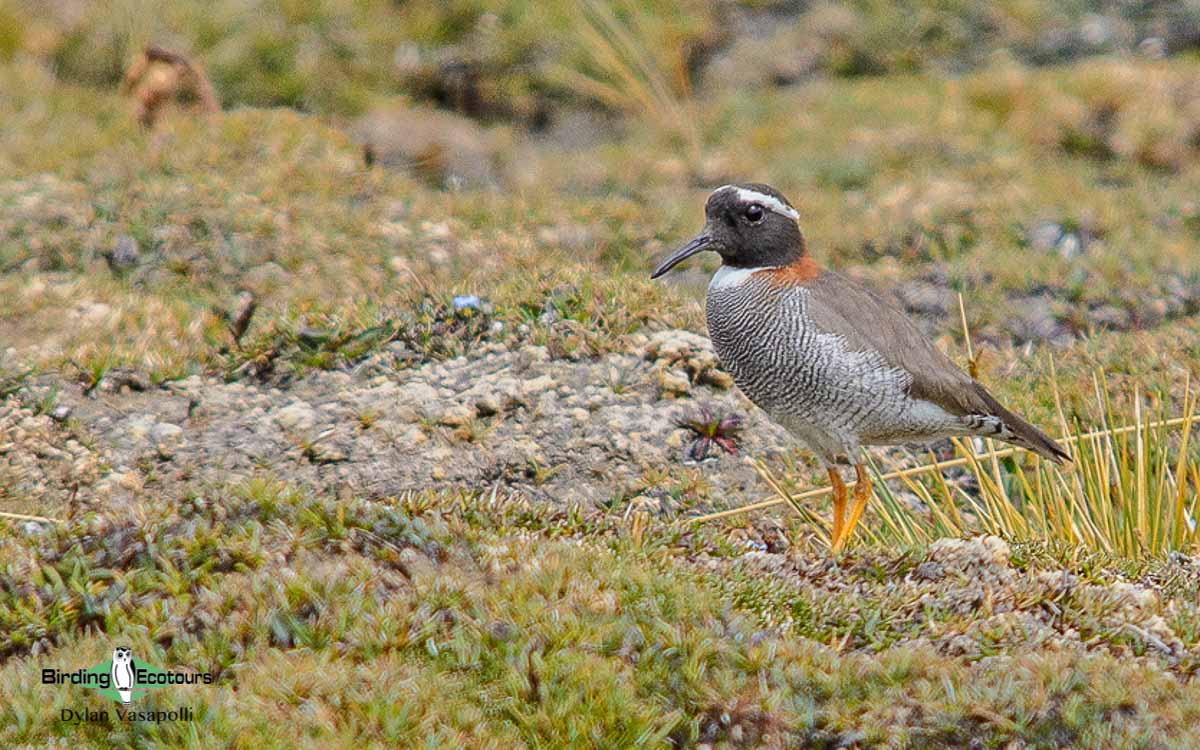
x=751, y=226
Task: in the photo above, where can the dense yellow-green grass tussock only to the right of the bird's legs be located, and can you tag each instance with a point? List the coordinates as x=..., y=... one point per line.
x=1132, y=490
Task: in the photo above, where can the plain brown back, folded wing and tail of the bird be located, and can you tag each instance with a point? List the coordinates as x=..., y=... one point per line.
x=837, y=303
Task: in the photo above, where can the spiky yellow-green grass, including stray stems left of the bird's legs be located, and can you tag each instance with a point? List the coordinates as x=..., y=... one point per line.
x=1132, y=489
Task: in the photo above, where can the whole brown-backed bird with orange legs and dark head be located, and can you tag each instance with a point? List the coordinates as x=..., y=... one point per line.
x=826, y=358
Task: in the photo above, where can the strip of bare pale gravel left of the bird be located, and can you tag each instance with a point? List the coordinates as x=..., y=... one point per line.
x=560, y=430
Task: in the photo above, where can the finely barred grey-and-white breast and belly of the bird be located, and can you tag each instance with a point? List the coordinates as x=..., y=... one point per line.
x=807, y=380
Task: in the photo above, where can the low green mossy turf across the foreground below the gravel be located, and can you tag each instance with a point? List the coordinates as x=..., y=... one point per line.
x=328, y=620
